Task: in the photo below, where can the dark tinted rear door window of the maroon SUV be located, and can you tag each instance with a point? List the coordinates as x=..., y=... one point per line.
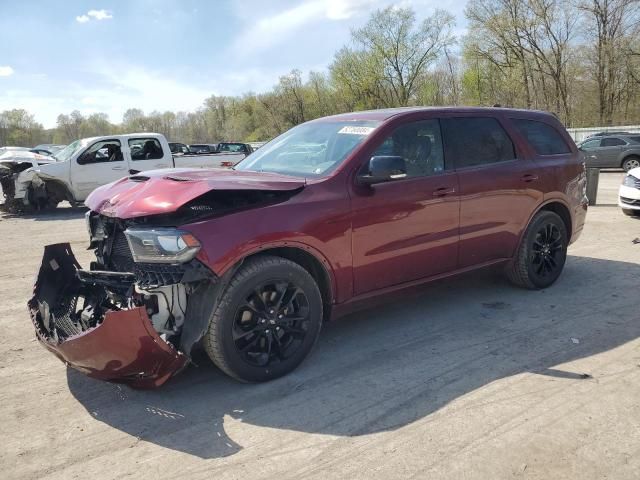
x=477, y=141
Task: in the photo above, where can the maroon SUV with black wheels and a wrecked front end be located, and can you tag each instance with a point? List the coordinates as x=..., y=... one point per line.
x=250, y=262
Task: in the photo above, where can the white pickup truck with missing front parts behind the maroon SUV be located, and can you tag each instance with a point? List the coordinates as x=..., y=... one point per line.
x=89, y=163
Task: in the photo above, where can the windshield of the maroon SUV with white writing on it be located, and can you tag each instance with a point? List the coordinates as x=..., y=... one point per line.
x=309, y=150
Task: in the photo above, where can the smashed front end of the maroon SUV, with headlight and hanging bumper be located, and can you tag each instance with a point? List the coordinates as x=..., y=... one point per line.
x=136, y=314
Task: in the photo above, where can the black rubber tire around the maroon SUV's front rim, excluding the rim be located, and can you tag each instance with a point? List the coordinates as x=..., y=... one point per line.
x=225, y=317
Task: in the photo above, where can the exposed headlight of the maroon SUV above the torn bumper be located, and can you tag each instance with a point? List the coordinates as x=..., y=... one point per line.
x=161, y=245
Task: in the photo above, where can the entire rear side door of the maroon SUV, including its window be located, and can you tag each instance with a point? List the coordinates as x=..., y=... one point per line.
x=499, y=189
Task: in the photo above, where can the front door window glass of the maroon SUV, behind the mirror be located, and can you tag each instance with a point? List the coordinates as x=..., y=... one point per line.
x=420, y=144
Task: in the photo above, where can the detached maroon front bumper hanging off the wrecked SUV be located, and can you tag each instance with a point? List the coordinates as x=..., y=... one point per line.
x=123, y=347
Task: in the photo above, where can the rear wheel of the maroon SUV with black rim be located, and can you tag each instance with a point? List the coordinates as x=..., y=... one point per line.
x=542, y=253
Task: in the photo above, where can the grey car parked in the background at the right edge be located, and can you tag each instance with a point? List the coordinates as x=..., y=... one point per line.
x=612, y=151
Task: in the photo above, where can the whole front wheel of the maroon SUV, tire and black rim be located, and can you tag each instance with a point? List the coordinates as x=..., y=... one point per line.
x=250, y=338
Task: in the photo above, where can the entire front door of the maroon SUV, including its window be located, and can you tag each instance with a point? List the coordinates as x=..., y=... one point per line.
x=406, y=229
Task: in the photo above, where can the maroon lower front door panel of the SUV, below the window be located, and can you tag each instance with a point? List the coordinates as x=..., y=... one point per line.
x=404, y=231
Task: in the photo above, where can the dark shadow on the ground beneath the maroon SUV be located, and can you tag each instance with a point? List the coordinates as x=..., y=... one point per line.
x=385, y=367
